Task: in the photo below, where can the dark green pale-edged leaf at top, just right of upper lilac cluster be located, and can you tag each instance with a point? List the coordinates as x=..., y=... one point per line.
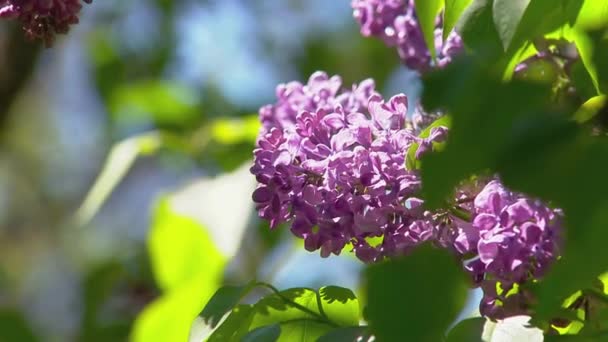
x=476, y=26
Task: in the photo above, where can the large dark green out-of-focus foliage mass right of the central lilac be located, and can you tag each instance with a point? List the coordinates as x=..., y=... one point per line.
x=523, y=135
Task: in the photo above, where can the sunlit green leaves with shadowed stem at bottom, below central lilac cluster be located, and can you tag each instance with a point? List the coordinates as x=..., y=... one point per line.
x=297, y=314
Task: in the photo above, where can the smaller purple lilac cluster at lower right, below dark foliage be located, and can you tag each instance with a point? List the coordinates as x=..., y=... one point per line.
x=514, y=239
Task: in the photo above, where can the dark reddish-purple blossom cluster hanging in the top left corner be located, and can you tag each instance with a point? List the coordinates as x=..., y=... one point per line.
x=42, y=19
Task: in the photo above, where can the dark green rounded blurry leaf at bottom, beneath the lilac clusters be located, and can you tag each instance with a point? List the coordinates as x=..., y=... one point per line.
x=418, y=295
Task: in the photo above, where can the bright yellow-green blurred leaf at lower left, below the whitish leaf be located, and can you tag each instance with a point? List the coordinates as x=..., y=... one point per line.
x=187, y=267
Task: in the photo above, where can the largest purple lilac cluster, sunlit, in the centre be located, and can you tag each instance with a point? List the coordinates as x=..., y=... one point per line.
x=330, y=163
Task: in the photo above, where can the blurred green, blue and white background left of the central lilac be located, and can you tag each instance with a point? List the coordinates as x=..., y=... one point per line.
x=166, y=92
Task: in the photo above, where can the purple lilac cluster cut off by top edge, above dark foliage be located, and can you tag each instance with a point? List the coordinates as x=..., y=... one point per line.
x=395, y=22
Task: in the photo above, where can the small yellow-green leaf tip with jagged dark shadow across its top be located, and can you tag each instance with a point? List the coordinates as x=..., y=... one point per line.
x=340, y=305
